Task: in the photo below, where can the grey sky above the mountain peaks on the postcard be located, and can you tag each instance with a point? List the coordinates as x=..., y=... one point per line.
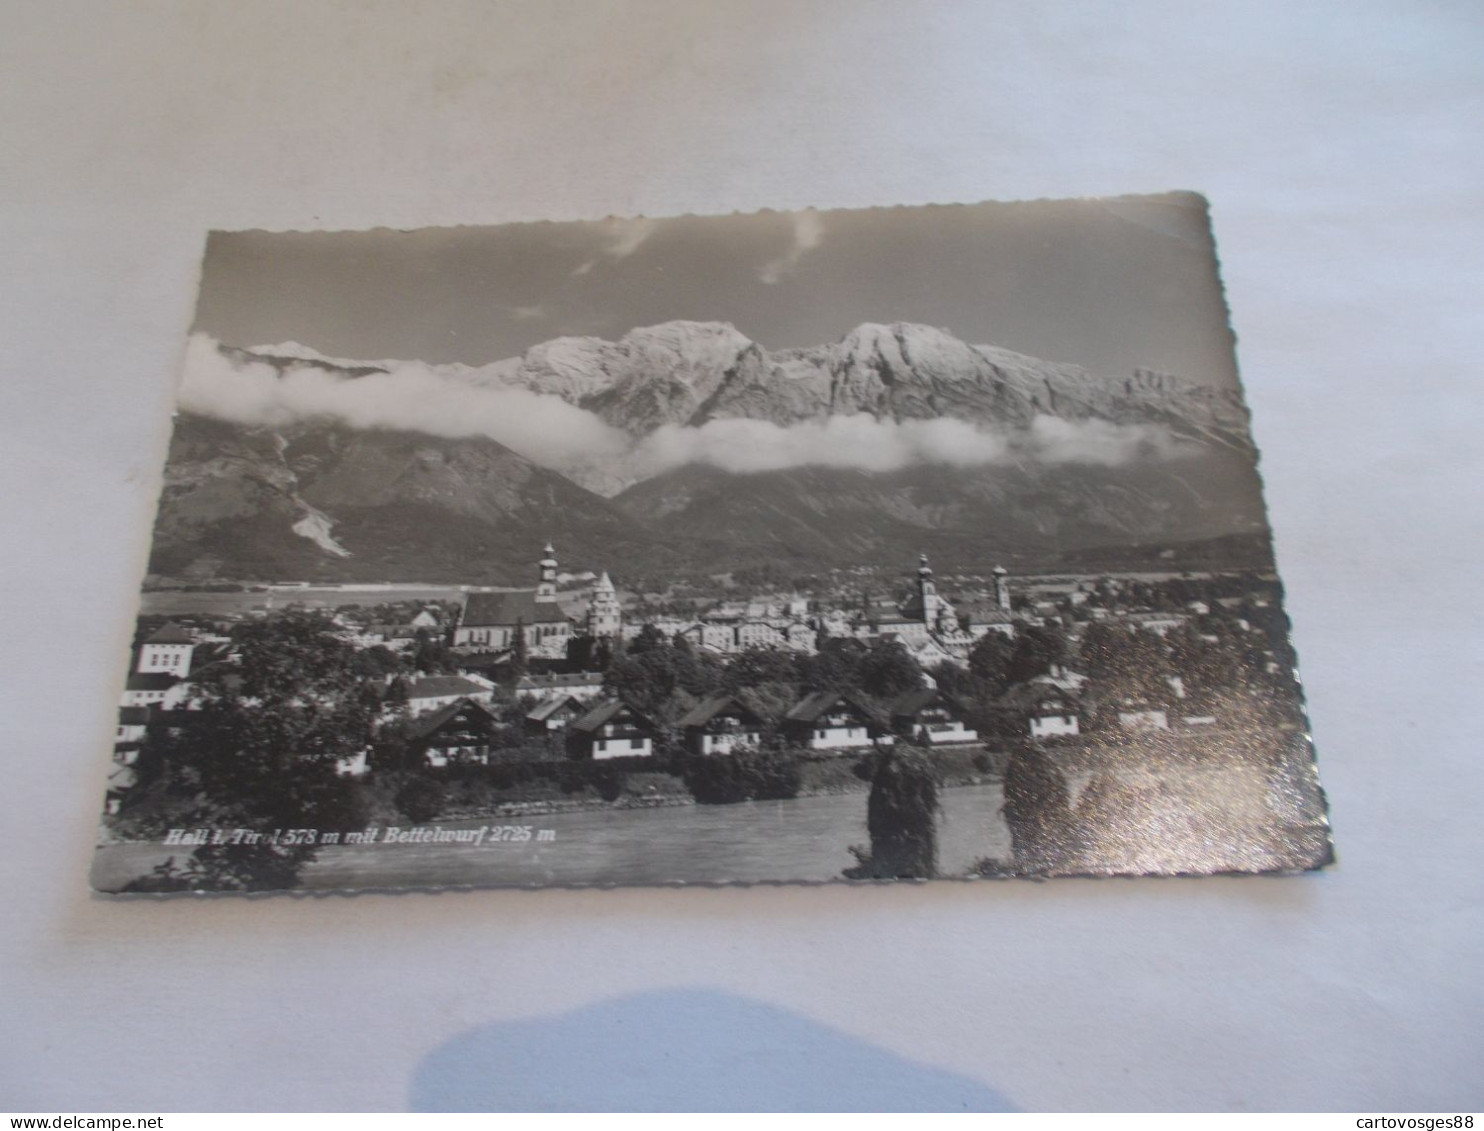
x=1112, y=284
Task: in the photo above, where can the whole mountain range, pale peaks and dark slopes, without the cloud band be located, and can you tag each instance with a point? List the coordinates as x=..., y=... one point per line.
x=323, y=501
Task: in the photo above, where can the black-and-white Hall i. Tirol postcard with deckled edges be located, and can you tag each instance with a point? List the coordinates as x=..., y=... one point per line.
x=856, y=545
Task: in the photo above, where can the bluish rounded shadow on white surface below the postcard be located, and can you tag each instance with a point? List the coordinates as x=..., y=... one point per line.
x=682, y=1052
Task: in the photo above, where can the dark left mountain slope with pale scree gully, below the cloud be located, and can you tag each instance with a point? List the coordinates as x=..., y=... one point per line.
x=397, y=505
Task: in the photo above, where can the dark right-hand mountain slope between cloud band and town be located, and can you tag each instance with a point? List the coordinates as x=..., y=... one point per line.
x=965, y=517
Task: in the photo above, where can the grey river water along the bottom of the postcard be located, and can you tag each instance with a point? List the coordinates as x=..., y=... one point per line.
x=804, y=839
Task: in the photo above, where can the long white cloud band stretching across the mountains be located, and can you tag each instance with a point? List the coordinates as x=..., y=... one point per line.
x=559, y=436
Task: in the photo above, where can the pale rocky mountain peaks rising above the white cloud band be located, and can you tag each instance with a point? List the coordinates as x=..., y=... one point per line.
x=686, y=373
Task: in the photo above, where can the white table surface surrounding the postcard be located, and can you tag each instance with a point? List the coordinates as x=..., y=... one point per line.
x=1341, y=148
